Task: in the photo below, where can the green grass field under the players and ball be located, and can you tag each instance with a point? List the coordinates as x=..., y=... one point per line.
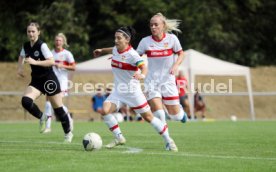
x=203, y=146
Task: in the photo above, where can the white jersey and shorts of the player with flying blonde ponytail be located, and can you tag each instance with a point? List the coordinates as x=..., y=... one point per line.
x=161, y=57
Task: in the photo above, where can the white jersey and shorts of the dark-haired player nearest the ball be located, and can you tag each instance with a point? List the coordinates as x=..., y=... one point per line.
x=127, y=90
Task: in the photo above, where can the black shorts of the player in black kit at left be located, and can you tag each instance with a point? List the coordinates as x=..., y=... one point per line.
x=48, y=84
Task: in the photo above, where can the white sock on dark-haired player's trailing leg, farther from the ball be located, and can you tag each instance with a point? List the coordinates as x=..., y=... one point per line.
x=161, y=128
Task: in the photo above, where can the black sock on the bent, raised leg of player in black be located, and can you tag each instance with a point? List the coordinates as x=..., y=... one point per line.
x=31, y=107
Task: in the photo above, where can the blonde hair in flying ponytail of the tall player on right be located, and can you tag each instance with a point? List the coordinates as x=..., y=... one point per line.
x=170, y=24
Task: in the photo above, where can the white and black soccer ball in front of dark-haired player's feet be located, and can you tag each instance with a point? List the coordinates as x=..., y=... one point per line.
x=92, y=141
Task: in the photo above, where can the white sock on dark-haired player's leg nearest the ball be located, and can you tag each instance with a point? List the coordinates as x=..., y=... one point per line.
x=112, y=124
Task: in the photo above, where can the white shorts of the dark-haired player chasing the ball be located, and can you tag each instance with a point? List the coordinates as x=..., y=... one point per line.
x=136, y=101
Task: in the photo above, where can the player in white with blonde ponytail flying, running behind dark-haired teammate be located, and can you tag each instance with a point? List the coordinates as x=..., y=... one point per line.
x=161, y=48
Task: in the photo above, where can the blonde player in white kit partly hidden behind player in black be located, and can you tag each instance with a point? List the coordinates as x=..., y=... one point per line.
x=64, y=61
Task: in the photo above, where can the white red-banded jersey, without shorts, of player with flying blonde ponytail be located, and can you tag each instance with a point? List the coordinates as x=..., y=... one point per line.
x=160, y=56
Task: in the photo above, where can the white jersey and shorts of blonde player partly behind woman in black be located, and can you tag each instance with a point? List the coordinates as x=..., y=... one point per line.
x=64, y=57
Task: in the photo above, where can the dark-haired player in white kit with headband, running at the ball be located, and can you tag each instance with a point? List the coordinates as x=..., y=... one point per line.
x=126, y=63
